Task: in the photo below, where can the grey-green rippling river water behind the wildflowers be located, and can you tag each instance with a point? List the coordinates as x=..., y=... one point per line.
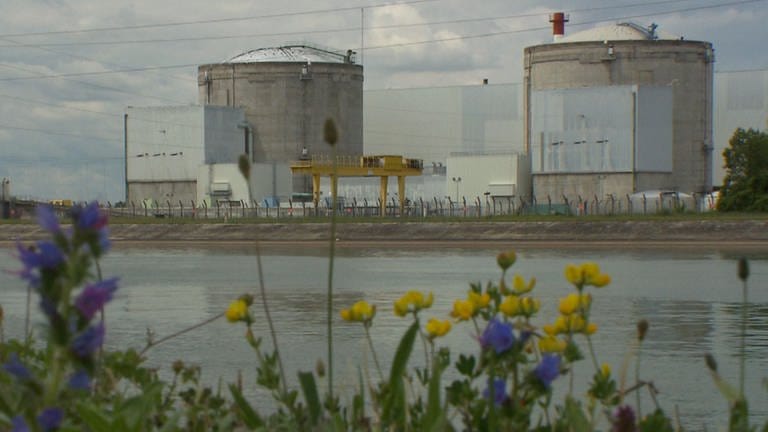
x=691, y=297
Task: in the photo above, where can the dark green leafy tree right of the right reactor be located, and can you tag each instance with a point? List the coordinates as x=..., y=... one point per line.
x=745, y=187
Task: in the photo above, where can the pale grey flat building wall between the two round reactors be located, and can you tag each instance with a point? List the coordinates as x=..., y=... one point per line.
x=432, y=123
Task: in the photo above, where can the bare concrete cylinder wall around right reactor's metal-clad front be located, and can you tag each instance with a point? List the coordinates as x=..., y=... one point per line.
x=686, y=66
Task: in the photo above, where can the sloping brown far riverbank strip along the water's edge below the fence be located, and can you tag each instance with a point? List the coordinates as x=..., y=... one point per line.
x=568, y=231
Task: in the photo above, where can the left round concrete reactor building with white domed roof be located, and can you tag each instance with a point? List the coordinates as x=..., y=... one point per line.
x=287, y=93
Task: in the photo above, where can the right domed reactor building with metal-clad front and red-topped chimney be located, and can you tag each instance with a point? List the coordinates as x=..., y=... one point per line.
x=616, y=110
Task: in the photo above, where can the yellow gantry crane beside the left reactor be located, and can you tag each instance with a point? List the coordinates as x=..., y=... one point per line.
x=360, y=166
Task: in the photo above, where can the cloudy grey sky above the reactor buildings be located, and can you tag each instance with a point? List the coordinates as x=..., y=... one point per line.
x=68, y=68
